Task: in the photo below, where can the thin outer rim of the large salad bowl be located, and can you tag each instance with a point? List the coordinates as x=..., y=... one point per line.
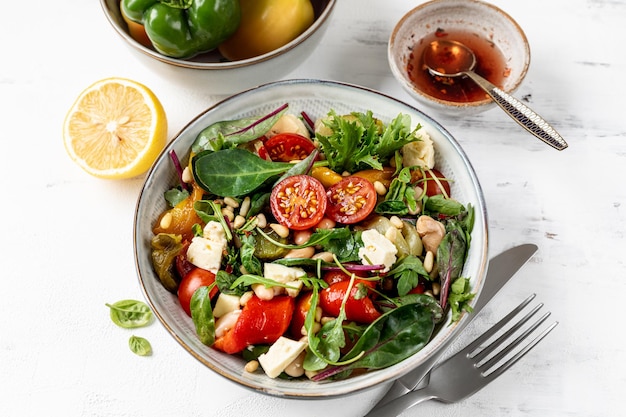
x=372, y=378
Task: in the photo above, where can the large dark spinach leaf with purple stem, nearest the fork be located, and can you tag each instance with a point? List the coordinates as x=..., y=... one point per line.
x=393, y=337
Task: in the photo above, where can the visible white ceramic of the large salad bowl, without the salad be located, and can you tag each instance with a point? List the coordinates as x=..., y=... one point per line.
x=316, y=98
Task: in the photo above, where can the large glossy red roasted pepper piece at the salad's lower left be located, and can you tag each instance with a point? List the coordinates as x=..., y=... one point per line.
x=260, y=322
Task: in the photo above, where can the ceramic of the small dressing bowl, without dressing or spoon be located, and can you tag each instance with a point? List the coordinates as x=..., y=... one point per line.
x=476, y=17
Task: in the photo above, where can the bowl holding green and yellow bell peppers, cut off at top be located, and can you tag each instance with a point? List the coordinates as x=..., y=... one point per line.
x=230, y=44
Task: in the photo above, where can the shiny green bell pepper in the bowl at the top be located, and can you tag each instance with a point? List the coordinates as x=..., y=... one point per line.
x=184, y=28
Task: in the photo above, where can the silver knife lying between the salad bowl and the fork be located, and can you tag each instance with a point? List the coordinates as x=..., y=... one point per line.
x=501, y=268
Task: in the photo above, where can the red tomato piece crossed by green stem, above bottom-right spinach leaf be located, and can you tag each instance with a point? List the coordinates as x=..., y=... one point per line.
x=361, y=310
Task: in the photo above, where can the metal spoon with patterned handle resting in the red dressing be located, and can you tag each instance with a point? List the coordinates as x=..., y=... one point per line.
x=453, y=59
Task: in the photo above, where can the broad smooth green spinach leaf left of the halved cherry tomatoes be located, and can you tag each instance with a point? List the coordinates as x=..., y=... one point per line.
x=234, y=172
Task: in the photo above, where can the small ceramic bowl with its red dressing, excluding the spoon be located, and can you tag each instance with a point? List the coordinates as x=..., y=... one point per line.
x=500, y=45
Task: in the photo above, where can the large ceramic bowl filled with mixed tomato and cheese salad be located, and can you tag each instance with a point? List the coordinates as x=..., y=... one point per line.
x=311, y=239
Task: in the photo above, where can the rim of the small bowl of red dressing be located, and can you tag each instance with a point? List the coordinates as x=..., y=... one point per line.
x=407, y=85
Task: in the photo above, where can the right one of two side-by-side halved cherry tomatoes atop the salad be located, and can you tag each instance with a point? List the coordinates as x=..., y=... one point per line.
x=351, y=200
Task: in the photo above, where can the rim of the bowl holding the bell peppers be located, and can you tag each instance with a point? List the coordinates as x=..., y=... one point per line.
x=225, y=65
